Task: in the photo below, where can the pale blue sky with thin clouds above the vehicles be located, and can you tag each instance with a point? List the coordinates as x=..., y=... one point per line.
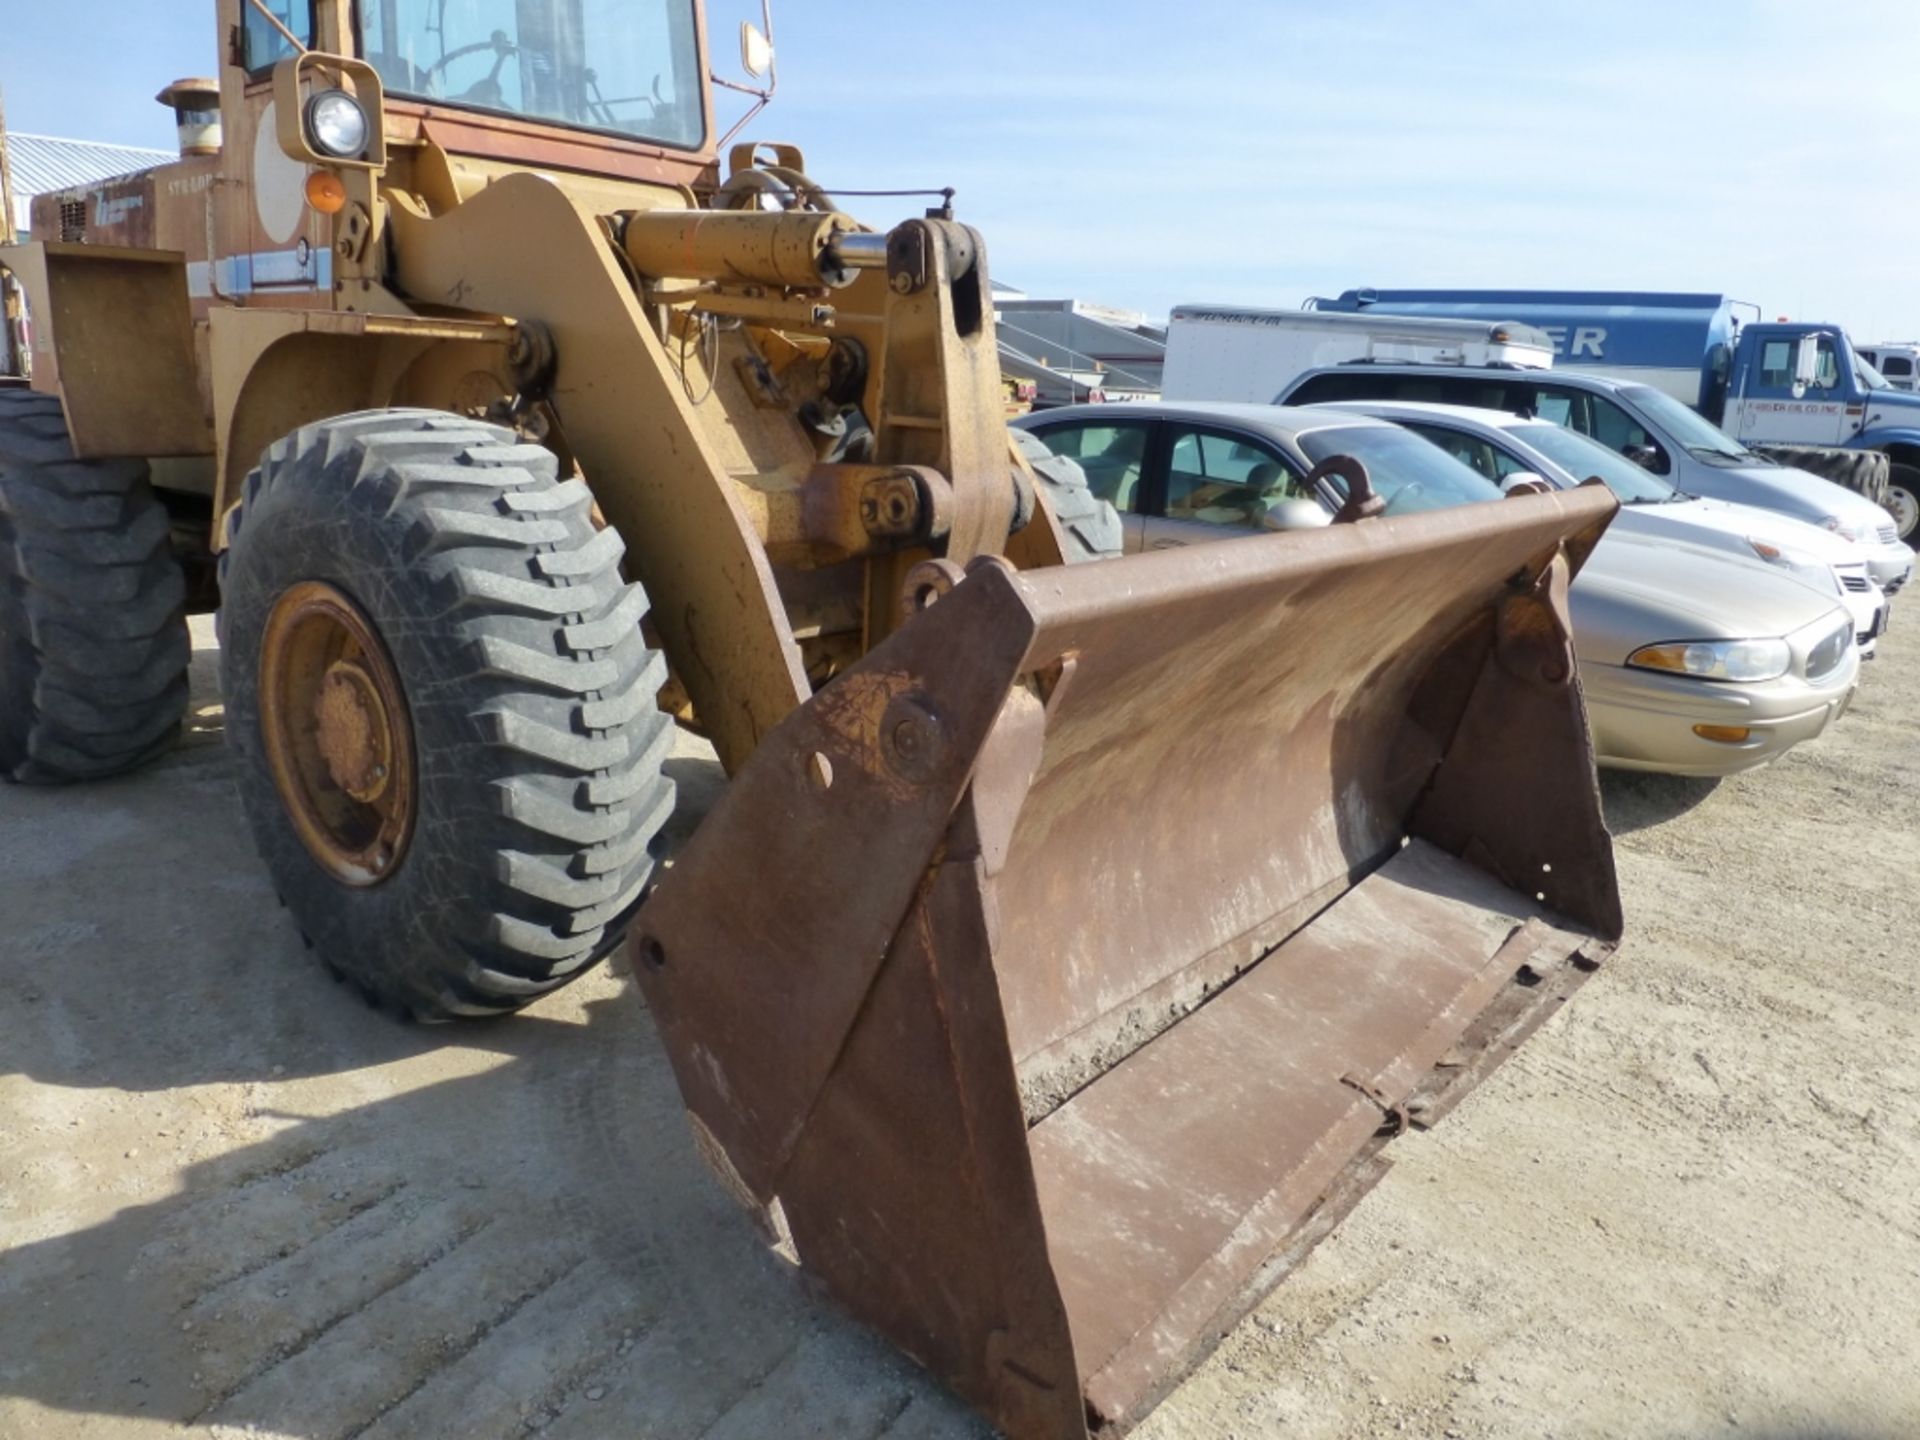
x=1141, y=155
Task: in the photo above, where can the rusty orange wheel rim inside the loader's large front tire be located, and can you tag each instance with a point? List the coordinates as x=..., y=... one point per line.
x=337, y=732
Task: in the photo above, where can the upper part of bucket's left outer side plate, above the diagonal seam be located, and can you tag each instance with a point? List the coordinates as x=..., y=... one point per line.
x=867, y=775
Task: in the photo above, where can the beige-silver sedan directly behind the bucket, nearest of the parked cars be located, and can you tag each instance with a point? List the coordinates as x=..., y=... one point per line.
x=1692, y=661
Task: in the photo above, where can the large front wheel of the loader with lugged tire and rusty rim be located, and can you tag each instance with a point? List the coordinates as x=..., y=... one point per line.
x=444, y=708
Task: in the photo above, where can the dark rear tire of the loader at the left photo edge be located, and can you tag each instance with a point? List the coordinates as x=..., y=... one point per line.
x=93, y=627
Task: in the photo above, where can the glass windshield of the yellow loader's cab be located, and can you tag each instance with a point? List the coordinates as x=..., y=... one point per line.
x=623, y=66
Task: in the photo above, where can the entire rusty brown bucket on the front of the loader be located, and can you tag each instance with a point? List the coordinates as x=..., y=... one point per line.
x=1061, y=971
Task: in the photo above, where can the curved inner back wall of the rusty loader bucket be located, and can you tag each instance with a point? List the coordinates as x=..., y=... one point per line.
x=1262, y=690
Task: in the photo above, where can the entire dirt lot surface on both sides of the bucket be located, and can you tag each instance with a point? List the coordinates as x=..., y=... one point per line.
x=237, y=1203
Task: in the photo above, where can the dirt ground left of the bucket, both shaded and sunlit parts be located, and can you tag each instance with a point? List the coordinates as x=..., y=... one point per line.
x=373, y=1230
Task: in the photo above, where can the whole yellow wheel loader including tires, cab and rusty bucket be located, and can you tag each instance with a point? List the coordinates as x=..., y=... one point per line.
x=1074, y=932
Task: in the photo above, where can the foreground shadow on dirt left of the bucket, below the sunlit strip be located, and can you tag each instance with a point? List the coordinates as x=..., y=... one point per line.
x=531, y=1247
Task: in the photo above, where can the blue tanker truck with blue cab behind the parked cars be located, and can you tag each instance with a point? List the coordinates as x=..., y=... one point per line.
x=1796, y=391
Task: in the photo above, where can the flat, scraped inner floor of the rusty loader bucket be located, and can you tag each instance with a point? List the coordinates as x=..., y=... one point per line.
x=1163, y=1199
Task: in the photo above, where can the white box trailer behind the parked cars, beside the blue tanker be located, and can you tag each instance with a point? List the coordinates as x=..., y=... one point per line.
x=1222, y=352
